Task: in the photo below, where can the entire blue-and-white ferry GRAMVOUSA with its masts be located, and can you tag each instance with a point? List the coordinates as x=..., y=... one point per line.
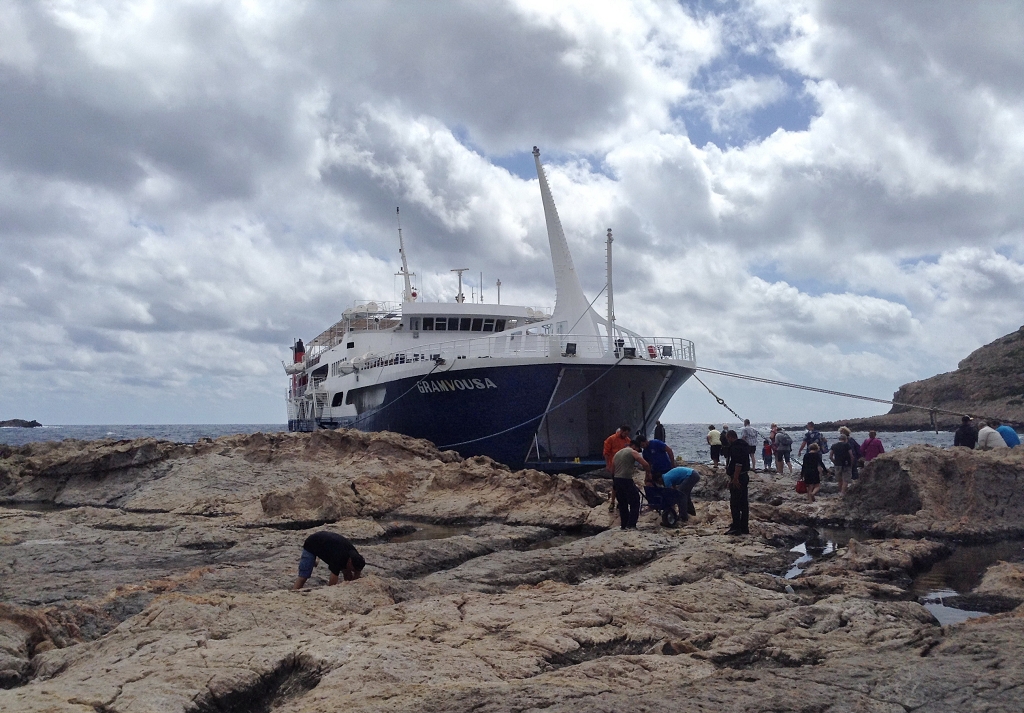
x=527, y=388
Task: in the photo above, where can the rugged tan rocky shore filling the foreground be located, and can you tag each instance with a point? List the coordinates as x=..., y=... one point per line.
x=150, y=576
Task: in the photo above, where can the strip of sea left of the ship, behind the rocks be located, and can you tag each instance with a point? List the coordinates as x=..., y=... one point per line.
x=179, y=433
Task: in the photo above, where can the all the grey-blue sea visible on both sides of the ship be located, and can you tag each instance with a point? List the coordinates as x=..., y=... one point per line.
x=687, y=440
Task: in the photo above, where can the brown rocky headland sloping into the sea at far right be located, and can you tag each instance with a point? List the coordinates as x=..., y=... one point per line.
x=989, y=384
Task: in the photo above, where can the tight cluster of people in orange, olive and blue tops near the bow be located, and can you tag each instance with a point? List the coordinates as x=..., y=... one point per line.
x=655, y=456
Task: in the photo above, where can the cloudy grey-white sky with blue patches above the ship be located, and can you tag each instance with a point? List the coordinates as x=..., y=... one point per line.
x=821, y=193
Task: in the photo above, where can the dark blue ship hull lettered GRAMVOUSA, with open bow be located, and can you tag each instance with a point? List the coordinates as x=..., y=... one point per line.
x=500, y=411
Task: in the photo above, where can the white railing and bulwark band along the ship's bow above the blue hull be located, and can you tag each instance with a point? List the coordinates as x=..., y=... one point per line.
x=525, y=346
